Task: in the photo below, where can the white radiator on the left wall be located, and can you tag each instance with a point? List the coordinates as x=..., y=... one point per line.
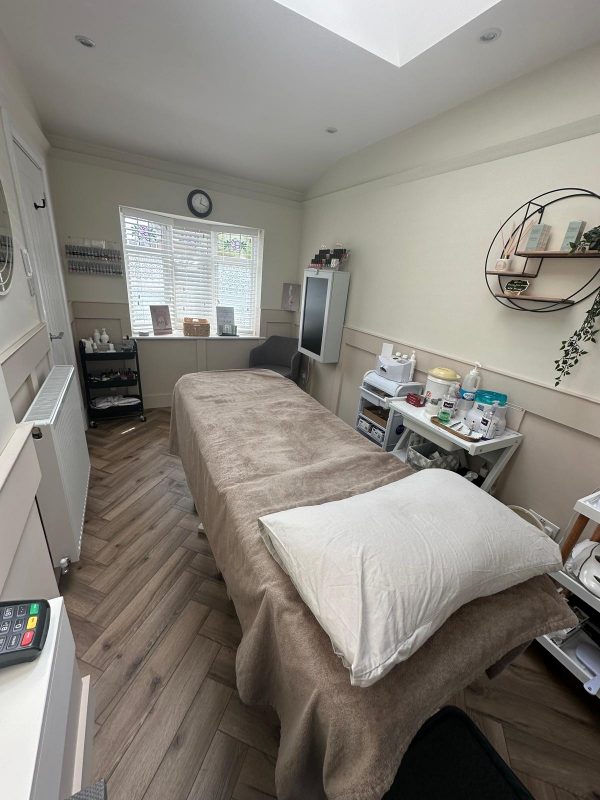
x=61, y=448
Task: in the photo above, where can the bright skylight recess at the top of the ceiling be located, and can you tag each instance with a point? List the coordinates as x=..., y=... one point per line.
x=395, y=30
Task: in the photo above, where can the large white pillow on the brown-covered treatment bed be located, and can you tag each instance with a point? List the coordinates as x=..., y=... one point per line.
x=382, y=571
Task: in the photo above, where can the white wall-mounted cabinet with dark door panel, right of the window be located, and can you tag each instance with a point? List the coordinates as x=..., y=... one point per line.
x=324, y=297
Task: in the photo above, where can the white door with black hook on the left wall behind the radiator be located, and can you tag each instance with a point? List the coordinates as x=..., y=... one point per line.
x=41, y=245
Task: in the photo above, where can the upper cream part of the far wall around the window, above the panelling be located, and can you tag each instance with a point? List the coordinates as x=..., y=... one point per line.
x=87, y=194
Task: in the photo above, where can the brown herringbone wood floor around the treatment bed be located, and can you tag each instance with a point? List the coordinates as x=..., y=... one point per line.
x=155, y=630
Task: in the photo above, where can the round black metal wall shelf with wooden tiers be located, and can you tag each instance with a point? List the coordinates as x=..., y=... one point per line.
x=533, y=211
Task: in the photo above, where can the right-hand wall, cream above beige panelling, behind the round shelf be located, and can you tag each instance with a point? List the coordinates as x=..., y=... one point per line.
x=418, y=211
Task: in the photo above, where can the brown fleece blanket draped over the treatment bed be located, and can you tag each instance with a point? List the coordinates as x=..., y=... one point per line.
x=252, y=443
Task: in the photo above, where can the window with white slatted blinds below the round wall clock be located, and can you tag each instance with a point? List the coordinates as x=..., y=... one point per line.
x=192, y=267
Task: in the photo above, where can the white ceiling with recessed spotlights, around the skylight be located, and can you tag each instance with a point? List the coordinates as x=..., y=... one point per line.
x=247, y=87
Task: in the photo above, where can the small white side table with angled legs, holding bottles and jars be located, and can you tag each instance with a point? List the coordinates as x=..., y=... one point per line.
x=497, y=452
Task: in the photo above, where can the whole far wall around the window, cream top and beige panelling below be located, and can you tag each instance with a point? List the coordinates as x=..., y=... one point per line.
x=87, y=191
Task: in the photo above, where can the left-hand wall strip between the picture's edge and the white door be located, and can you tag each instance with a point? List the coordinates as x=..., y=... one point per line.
x=23, y=352
